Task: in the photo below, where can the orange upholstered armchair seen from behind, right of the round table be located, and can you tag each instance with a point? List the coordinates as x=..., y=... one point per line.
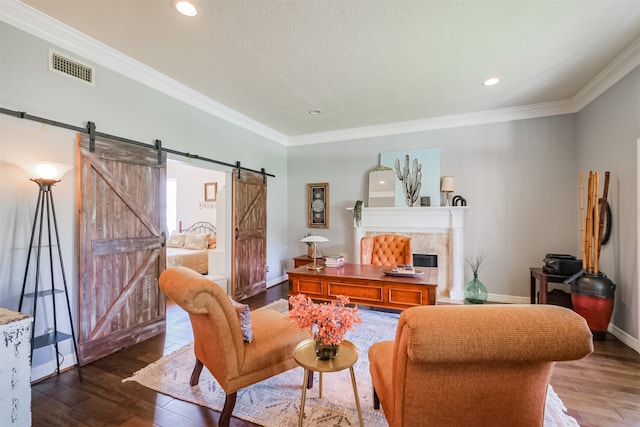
x=485, y=365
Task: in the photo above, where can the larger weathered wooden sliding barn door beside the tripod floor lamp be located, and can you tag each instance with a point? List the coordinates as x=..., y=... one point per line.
x=121, y=250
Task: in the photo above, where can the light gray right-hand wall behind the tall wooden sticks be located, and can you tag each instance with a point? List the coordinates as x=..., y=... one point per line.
x=607, y=131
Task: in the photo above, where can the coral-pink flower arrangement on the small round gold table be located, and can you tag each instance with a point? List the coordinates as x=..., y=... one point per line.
x=329, y=322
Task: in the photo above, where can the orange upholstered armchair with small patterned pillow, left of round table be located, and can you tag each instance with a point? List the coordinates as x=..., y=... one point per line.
x=218, y=336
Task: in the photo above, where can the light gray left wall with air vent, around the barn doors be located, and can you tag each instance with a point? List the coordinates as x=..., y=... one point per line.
x=118, y=106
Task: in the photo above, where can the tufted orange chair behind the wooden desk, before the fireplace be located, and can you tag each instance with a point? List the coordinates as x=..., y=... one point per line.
x=386, y=249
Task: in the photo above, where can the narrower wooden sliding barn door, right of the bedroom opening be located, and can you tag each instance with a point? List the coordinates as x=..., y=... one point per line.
x=249, y=253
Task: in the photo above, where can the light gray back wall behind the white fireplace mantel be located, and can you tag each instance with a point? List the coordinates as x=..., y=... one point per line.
x=517, y=177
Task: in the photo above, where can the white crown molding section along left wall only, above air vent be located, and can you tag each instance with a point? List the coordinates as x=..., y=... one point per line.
x=43, y=26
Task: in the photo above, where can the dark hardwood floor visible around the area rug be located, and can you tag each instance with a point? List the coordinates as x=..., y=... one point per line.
x=600, y=390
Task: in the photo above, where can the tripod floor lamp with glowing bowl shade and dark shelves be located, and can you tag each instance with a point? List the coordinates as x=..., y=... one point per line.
x=46, y=175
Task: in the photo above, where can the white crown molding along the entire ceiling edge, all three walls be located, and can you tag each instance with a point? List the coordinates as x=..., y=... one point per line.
x=40, y=25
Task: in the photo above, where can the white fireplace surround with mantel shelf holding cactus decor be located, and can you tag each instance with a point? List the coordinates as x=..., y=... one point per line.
x=448, y=219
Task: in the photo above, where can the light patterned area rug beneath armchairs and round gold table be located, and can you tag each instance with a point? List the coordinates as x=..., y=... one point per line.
x=276, y=401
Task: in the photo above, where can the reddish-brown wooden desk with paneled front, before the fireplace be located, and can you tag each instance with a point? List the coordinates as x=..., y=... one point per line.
x=367, y=285
